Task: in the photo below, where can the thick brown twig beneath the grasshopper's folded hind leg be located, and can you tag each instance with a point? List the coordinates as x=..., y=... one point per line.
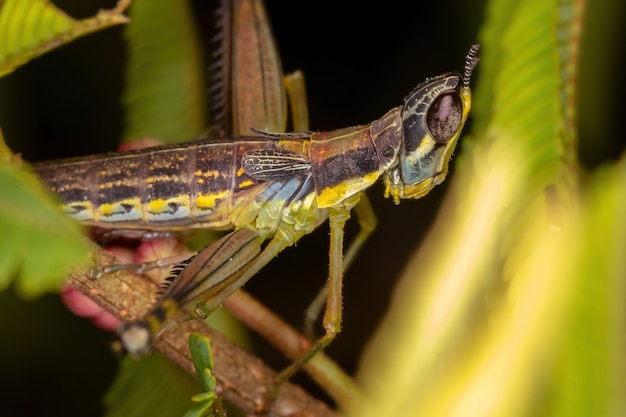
x=243, y=379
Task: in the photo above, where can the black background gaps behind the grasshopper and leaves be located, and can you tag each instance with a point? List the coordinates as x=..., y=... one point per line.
x=360, y=59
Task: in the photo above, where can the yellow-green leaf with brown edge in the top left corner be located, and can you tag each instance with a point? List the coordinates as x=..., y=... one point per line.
x=29, y=28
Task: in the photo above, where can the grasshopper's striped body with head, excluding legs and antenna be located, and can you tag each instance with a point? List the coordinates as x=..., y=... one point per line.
x=267, y=182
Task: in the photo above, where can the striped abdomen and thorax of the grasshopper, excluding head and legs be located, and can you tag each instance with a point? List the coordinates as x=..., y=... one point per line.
x=258, y=182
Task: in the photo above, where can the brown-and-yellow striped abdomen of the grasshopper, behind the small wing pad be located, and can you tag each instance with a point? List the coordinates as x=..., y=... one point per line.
x=163, y=188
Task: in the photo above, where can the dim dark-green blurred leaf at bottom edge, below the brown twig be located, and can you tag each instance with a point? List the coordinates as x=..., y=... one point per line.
x=150, y=386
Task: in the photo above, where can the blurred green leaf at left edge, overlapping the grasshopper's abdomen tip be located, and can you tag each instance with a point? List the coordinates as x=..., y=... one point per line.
x=38, y=243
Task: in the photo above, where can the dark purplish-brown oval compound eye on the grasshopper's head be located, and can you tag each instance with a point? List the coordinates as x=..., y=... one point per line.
x=444, y=117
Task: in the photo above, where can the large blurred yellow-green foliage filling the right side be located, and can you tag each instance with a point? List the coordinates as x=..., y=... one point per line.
x=514, y=304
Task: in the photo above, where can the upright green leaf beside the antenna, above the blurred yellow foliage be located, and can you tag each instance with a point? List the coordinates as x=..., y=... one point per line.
x=520, y=85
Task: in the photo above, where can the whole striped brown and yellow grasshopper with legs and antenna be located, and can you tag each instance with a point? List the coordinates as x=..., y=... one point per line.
x=269, y=188
